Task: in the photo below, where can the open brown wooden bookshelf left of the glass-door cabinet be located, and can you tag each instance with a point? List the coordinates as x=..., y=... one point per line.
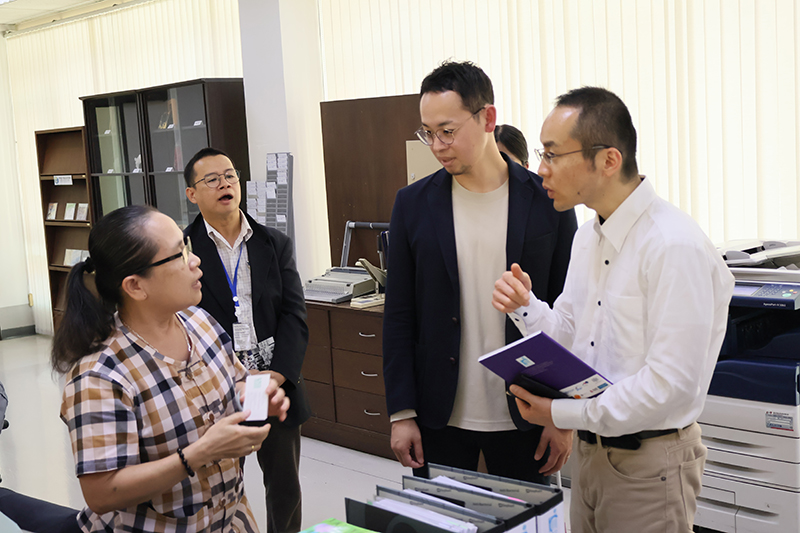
x=63, y=179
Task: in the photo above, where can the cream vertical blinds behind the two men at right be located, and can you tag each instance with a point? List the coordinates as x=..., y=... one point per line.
x=712, y=84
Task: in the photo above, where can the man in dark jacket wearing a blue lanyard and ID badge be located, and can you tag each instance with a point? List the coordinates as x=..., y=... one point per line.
x=251, y=286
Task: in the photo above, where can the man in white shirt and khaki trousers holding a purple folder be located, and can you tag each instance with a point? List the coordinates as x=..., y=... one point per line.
x=645, y=303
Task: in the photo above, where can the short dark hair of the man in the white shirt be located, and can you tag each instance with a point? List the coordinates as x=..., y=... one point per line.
x=603, y=120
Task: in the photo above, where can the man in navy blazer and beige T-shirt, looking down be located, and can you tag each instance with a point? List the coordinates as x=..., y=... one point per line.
x=449, y=232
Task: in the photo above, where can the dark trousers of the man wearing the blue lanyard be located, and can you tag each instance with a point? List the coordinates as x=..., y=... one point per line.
x=279, y=458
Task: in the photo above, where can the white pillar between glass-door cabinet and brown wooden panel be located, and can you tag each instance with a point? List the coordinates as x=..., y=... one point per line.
x=282, y=70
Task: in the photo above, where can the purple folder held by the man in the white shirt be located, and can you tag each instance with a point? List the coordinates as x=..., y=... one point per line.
x=544, y=360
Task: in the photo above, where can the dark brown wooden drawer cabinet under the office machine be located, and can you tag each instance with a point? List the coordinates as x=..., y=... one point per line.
x=343, y=370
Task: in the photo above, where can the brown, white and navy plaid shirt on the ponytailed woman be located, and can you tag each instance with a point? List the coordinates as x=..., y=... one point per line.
x=128, y=404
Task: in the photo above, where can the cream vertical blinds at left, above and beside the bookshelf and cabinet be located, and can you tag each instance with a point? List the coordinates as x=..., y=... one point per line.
x=148, y=44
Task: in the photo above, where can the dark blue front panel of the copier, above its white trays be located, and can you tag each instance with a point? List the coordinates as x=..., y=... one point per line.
x=760, y=380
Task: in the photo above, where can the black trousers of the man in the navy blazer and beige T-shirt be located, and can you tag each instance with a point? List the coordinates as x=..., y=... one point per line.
x=507, y=453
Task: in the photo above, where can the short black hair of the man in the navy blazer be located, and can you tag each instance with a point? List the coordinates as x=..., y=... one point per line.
x=465, y=78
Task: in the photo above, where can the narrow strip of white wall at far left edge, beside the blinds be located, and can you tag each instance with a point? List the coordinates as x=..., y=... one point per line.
x=14, y=310
